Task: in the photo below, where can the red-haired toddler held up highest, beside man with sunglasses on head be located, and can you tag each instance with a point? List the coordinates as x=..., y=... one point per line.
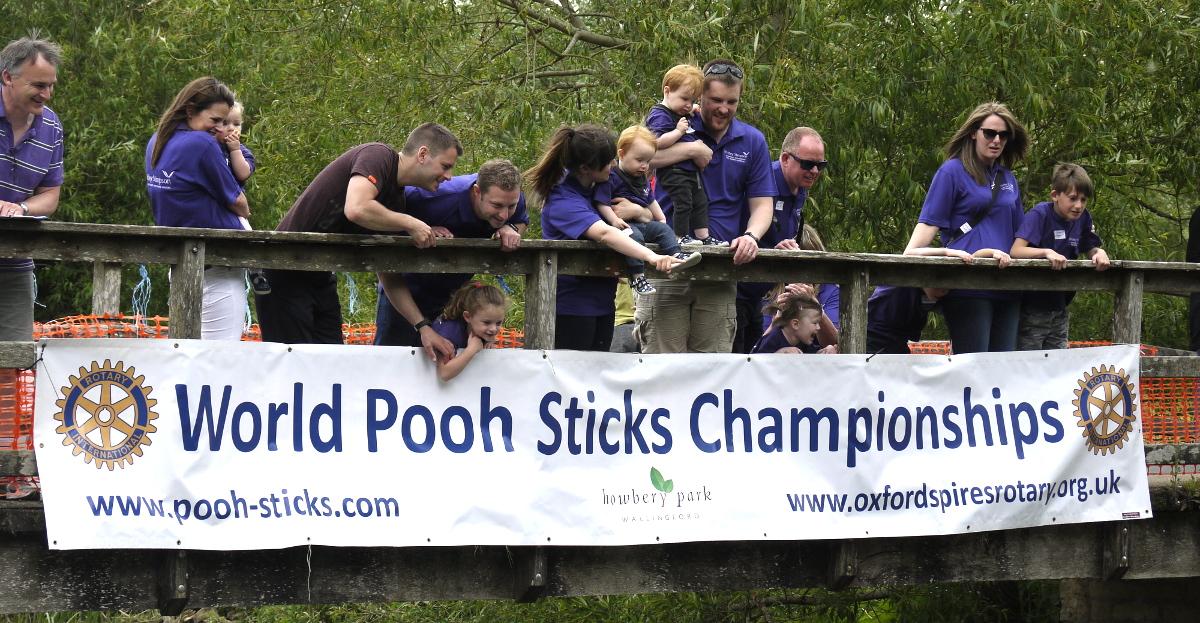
x=670, y=121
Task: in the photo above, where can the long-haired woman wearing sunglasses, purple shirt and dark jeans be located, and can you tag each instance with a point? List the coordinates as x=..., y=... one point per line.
x=976, y=206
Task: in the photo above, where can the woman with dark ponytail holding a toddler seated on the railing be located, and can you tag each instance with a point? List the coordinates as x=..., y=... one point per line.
x=585, y=307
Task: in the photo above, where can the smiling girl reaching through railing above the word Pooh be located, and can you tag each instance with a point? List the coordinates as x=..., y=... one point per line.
x=471, y=321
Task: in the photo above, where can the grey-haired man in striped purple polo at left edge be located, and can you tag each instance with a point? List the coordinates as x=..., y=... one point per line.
x=31, y=166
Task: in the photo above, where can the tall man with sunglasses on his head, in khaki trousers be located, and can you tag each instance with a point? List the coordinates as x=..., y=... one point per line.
x=700, y=318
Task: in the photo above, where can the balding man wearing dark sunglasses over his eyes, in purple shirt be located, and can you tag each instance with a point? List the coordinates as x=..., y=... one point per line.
x=800, y=165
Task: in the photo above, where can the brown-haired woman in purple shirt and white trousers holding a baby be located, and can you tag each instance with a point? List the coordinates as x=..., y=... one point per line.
x=191, y=185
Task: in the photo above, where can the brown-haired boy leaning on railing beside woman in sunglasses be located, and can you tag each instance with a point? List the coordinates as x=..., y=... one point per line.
x=1058, y=231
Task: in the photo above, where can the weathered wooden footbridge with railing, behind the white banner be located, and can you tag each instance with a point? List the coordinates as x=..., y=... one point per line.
x=1136, y=571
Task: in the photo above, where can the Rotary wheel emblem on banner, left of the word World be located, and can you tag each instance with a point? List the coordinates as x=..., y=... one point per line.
x=106, y=415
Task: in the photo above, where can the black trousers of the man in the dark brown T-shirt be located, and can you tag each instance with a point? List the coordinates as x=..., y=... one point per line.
x=302, y=309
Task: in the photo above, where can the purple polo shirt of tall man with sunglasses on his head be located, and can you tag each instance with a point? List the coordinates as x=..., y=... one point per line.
x=740, y=171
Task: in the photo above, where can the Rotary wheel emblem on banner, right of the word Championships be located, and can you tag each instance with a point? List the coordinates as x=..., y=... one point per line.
x=1105, y=405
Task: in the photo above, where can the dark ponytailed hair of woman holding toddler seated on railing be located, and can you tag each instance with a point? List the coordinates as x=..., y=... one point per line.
x=571, y=148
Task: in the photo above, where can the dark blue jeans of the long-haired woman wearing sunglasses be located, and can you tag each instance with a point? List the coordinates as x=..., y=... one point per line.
x=982, y=326
